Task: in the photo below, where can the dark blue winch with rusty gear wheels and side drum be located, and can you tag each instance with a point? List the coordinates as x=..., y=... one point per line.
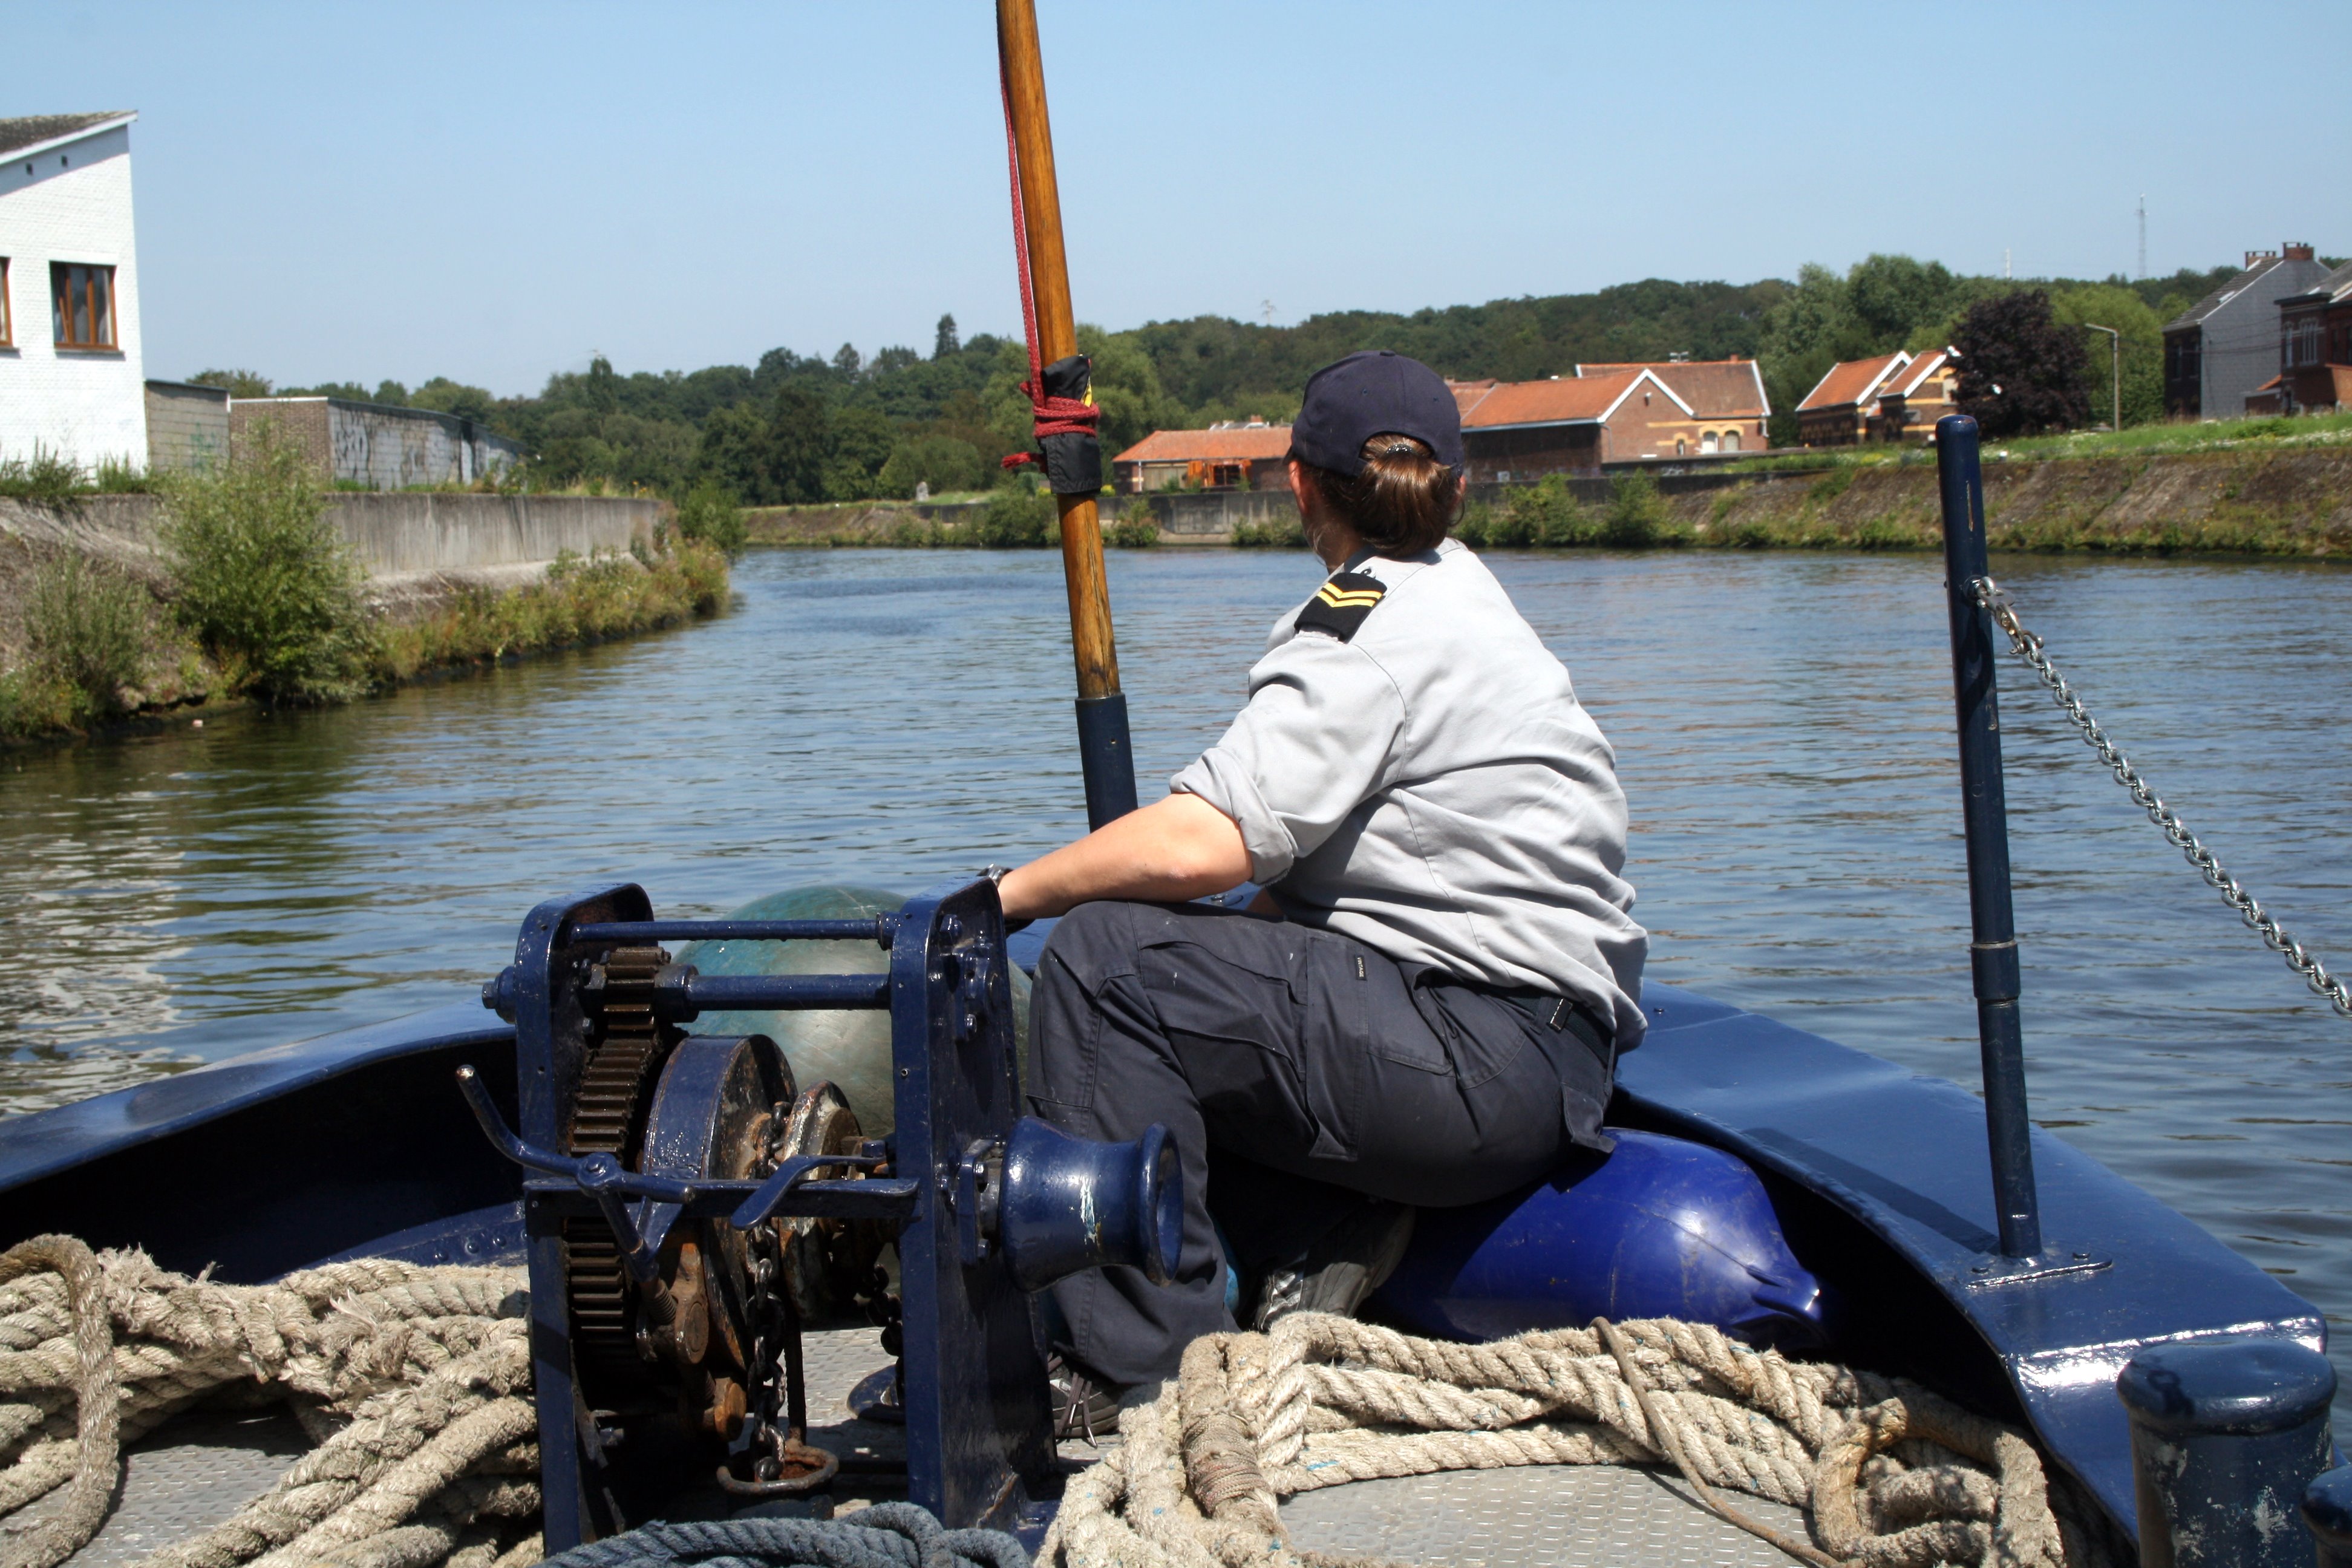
x=693, y=1207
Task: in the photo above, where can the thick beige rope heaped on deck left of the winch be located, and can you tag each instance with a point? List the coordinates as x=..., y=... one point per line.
x=413, y=1383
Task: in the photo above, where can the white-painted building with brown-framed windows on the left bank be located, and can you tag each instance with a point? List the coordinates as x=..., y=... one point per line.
x=69, y=293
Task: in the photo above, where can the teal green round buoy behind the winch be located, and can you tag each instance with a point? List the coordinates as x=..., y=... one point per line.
x=850, y=1050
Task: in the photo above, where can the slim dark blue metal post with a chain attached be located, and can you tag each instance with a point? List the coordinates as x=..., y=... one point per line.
x=1993, y=951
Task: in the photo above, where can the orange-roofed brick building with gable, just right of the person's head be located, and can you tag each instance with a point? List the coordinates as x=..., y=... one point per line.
x=1521, y=431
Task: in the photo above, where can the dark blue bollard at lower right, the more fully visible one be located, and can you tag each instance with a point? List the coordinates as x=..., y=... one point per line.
x=2224, y=1440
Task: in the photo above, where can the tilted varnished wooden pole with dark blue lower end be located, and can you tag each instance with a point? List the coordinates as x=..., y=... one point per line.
x=1102, y=709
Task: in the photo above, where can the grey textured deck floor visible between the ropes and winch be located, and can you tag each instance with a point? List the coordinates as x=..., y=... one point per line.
x=199, y=1473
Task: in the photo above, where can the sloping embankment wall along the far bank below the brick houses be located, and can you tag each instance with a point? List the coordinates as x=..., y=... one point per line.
x=2273, y=502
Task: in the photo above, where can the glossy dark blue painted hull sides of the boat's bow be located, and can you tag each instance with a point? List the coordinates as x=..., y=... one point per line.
x=359, y=1144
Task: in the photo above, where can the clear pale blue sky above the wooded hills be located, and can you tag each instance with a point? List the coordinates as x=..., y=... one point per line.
x=497, y=192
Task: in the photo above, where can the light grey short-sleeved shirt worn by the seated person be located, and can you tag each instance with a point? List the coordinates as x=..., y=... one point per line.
x=1434, y=789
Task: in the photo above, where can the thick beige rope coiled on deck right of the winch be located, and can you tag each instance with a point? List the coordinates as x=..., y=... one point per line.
x=1892, y=1475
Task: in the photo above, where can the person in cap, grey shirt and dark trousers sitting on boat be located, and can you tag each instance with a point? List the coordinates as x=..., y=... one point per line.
x=1434, y=1014
